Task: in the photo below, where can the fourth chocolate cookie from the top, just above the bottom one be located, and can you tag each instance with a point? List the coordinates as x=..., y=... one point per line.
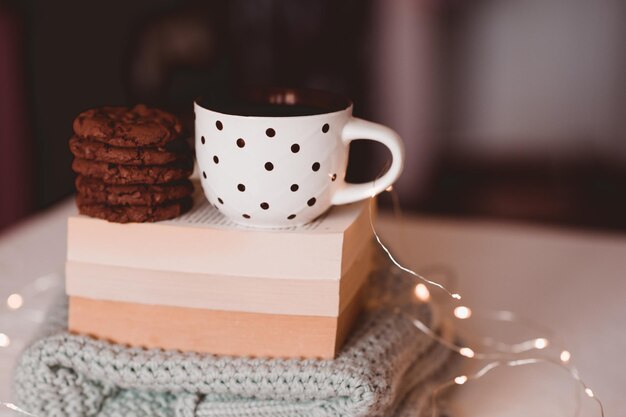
x=94, y=191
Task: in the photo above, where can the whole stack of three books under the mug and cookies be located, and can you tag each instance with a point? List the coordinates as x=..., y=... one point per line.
x=201, y=283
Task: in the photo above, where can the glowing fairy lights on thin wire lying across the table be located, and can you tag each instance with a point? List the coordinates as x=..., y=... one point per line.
x=506, y=355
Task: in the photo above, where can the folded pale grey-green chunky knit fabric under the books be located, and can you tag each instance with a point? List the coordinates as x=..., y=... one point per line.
x=386, y=369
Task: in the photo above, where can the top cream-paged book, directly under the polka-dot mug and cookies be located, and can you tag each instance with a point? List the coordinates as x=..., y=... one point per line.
x=204, y=242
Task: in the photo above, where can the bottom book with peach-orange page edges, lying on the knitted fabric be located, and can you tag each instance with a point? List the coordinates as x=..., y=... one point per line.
x=212, y=331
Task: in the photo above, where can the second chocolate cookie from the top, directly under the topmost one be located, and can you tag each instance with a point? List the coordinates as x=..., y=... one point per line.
x=176, y=151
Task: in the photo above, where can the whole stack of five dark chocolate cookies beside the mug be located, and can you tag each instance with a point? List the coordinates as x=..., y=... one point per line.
x=133, y=164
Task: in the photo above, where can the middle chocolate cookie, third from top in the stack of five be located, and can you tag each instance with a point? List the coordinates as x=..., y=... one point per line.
x=111, y=173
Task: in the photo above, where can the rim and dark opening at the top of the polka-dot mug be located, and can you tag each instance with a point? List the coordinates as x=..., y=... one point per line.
x=327, y=101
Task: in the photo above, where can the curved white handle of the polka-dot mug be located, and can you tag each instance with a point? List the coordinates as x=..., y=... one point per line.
x=362, y=129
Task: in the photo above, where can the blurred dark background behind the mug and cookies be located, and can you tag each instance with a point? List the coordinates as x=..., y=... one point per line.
x=510, y=109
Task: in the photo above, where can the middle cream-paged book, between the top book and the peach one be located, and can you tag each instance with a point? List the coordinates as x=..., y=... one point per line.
x=309, y=297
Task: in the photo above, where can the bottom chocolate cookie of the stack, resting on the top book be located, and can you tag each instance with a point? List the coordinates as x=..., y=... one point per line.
x=134, y=214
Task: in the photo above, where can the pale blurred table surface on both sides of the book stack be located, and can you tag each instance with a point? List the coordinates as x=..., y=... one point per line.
x=572, y=282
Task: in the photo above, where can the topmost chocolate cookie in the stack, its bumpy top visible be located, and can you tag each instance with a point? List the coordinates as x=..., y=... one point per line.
x=121, y=126
